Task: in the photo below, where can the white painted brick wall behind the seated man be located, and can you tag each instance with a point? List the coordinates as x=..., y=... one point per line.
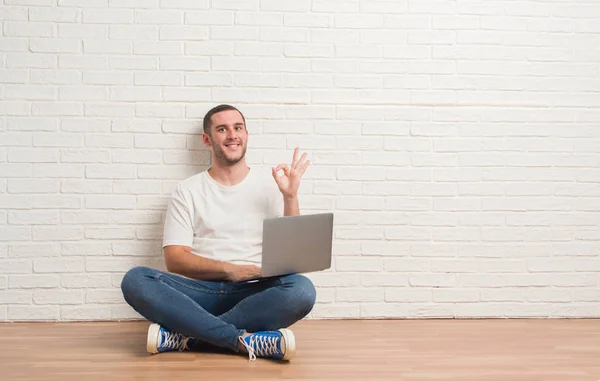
x=457, y=142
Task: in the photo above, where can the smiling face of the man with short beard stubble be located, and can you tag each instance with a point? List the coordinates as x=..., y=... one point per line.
x=228, y=137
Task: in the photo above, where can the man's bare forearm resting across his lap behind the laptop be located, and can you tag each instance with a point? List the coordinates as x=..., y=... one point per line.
x=180, y=260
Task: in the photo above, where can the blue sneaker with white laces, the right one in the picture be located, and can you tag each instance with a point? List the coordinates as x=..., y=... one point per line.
x=279, y=344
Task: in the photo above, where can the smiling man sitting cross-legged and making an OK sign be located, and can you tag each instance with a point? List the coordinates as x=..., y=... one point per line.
x=213, y=241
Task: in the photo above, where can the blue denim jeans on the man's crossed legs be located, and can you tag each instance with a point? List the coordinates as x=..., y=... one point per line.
x=217, y=313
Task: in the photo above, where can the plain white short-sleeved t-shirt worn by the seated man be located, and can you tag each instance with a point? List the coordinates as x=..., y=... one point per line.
x=222, y=222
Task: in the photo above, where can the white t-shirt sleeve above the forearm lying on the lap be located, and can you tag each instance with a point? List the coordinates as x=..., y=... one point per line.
x=178, y=228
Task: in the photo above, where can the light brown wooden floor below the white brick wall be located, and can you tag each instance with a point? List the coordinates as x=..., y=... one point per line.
x=482, y=350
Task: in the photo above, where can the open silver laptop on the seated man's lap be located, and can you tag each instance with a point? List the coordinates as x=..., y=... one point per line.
x=296, y=244
